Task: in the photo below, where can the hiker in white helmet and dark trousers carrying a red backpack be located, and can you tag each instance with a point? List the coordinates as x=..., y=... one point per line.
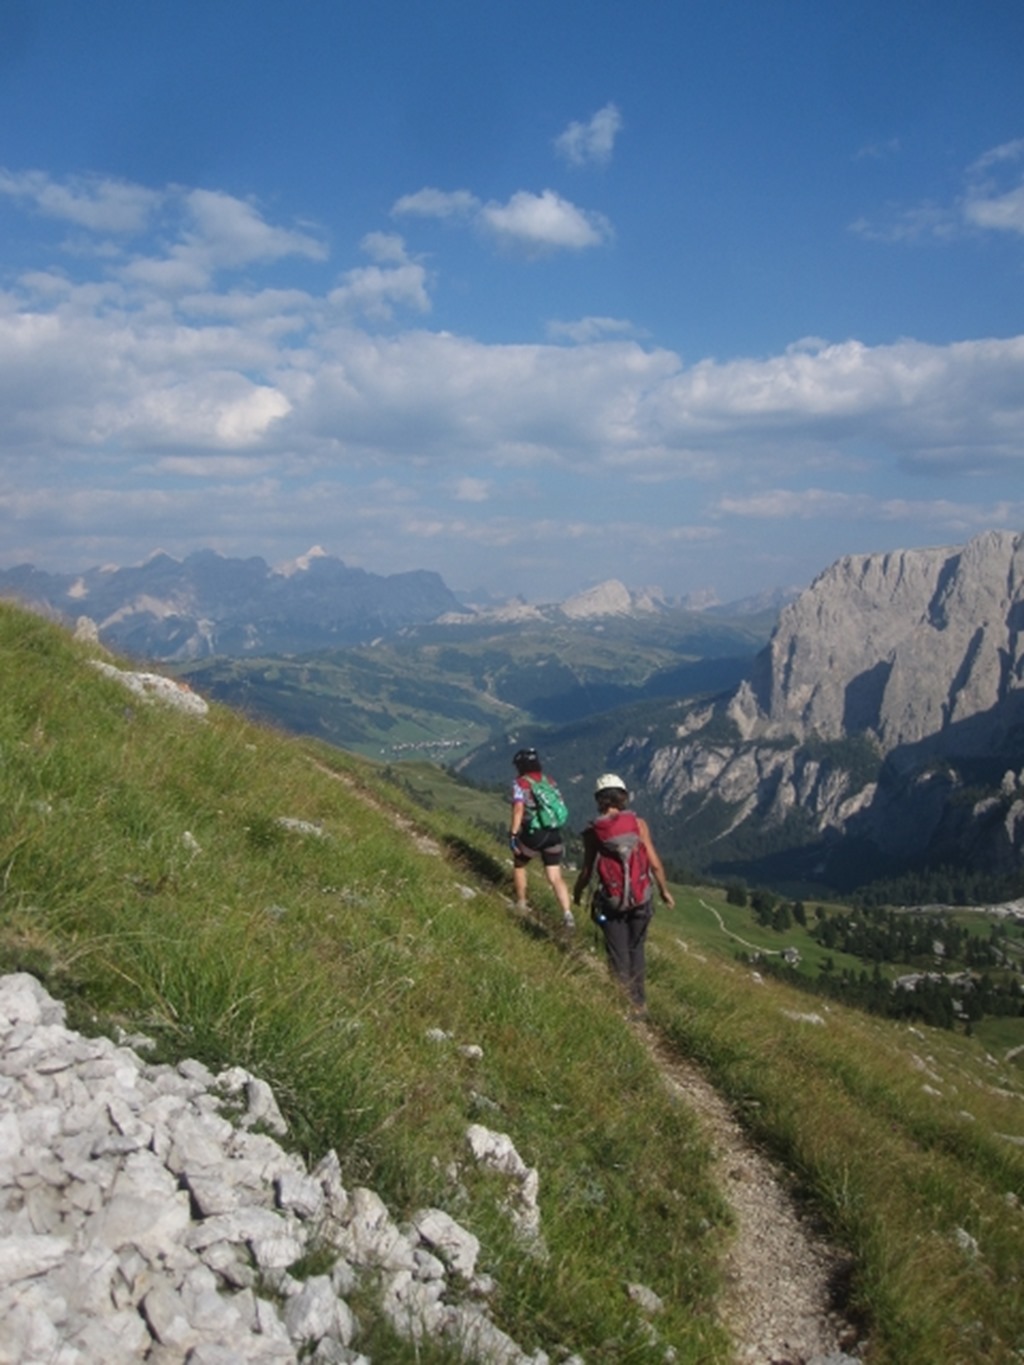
x=618, y=846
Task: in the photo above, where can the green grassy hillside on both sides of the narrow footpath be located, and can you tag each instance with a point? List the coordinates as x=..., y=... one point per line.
x=323, y=963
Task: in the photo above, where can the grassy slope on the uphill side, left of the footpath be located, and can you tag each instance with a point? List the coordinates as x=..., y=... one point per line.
x=148, y=880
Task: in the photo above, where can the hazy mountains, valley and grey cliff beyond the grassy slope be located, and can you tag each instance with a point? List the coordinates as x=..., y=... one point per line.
x=880, y=730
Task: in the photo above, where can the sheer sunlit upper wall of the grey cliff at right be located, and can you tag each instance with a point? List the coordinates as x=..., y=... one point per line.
x=900, y=648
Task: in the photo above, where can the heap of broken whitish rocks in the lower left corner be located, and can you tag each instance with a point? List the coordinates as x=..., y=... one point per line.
x=147, y=1214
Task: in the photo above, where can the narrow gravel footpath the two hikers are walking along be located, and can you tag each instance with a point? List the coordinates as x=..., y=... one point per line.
x=782, y=1274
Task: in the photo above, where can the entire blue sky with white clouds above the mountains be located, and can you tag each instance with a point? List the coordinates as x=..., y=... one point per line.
x=694, y=296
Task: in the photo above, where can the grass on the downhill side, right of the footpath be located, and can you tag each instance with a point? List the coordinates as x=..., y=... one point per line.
x=902, y=1139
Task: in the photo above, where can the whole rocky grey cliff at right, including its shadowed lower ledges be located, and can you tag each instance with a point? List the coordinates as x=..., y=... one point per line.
x=890, y=690
